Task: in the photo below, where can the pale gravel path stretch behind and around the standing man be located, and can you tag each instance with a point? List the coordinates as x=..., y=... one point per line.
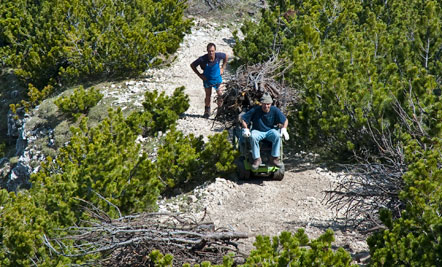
x=180, y=74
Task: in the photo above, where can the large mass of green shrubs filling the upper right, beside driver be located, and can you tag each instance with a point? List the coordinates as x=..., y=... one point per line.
x=353, y=63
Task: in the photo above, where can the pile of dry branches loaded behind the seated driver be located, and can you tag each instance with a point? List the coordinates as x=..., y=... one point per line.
x=249, y=84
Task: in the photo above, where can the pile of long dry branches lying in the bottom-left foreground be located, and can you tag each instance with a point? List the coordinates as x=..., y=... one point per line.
x=128, y=240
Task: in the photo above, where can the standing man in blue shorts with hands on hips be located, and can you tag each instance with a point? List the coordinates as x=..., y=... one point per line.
x=211, y=75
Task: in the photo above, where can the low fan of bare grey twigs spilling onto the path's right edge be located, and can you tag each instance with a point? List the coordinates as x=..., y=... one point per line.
x=362, y=190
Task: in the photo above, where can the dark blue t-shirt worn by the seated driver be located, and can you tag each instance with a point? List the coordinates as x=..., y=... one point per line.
x=264, y=121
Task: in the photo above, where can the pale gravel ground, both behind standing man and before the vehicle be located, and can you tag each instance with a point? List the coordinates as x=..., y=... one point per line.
x=258, y=206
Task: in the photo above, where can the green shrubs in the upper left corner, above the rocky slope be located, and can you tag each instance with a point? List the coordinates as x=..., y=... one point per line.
x=61, y=41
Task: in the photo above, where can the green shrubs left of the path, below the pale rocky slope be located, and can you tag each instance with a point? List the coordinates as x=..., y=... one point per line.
x=105, y=168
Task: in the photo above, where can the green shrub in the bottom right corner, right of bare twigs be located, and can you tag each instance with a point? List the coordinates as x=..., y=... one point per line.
x=415, y=238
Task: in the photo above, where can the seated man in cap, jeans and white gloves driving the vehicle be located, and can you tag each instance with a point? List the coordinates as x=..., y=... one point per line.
x=263, y=119
